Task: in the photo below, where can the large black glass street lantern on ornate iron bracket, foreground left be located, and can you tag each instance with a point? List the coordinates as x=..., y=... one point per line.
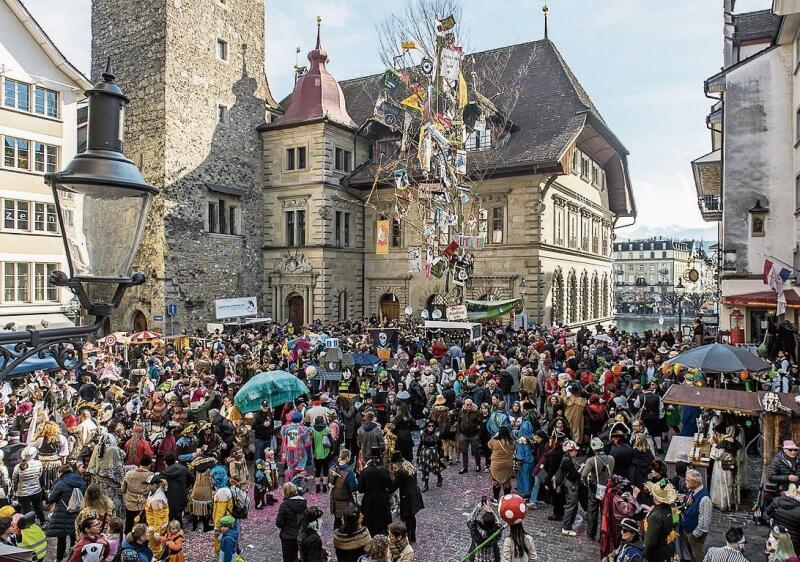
x=102, y=201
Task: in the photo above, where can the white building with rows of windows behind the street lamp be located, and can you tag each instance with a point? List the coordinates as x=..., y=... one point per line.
x=39, y=93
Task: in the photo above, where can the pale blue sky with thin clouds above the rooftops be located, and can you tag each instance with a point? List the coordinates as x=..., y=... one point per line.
x=642, y=62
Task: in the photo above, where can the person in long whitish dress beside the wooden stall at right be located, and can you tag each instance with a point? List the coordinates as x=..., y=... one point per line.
x=725, y=489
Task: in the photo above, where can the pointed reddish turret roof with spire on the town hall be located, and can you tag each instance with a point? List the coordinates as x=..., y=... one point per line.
x=317, y=94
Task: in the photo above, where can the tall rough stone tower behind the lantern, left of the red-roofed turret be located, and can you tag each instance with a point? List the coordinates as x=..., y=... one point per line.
x=194, y=72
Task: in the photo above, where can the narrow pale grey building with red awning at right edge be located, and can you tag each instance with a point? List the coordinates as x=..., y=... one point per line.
x=750, y=181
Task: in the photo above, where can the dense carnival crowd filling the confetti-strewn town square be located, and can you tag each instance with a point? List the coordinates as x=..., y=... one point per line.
x=114, y=459
